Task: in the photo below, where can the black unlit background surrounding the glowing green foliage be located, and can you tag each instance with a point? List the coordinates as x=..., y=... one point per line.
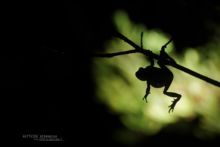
x=46, y=82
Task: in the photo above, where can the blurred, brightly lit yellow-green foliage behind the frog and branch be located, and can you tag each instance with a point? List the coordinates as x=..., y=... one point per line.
x=119, y=89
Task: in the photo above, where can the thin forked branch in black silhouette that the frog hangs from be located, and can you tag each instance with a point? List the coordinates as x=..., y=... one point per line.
x=150, y=54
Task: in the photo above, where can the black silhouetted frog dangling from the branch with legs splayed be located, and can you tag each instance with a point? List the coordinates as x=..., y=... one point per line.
x=159, y=77
